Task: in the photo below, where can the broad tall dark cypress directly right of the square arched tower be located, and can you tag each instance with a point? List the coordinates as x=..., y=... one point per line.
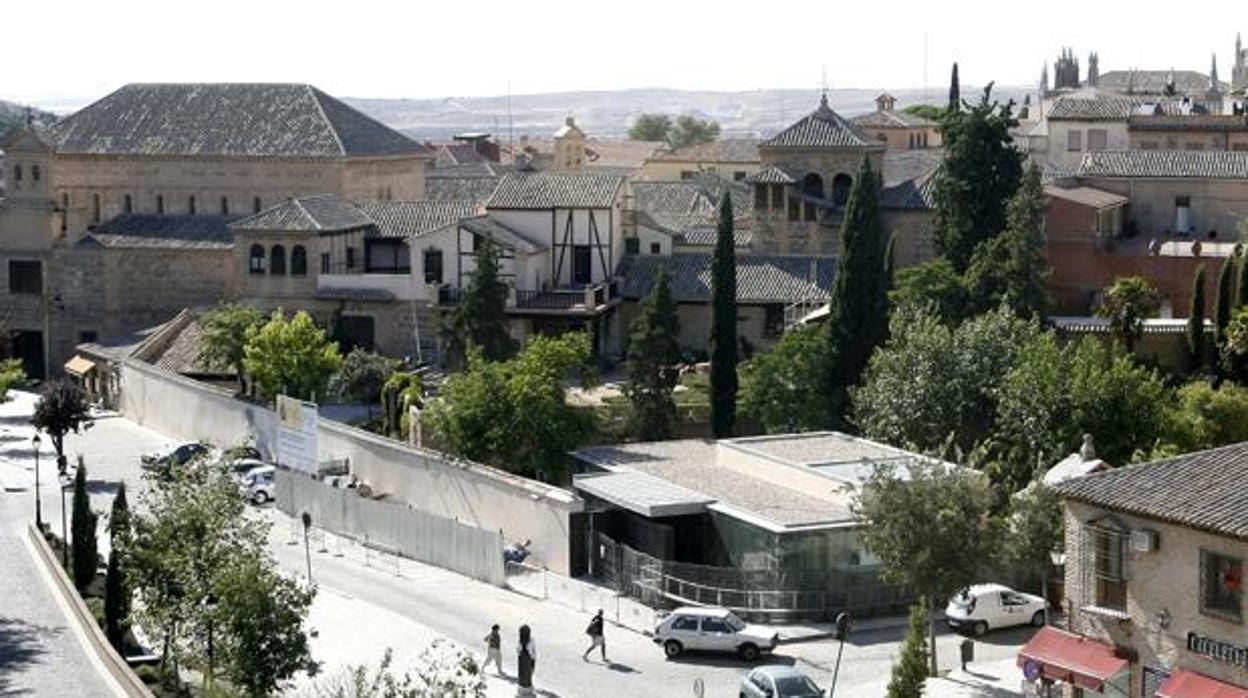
x=859, y=312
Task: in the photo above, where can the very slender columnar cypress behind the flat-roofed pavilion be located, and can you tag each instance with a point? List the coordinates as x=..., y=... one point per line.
x=723, y=327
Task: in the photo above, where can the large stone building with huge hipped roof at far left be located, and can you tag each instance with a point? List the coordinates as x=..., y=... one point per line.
x=115, y=217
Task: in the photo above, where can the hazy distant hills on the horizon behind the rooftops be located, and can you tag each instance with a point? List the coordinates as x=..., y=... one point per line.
x=608, y=114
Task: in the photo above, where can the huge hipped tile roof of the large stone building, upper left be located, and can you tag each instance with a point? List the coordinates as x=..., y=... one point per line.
x=229, y=120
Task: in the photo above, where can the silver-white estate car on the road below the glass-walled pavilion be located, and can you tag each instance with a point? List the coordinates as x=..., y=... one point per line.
x=712, y=630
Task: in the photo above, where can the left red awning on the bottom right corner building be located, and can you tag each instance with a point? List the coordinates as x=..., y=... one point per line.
x=1061, y=656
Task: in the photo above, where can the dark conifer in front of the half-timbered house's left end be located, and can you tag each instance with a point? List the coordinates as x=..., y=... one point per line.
x=481, y=317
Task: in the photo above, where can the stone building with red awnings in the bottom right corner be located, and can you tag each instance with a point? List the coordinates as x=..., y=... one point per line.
x=1155, y=563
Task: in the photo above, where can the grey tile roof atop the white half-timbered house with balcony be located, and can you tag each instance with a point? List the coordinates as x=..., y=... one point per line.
x=557, y=190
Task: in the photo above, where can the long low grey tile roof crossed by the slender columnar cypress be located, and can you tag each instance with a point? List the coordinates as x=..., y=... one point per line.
x=761, y=279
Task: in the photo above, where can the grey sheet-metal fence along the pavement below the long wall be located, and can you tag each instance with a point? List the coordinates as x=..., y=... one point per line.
x=394, y=528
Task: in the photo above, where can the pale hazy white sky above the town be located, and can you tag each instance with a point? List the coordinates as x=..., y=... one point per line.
x=79, y=51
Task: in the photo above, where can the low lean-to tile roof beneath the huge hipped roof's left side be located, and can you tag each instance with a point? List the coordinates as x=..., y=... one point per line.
x=153, y=232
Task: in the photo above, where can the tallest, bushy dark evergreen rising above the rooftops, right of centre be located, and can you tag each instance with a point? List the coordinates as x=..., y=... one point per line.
x=980, y=173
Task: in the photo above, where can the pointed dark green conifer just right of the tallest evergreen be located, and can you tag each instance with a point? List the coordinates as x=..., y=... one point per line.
x=1012, y=268
